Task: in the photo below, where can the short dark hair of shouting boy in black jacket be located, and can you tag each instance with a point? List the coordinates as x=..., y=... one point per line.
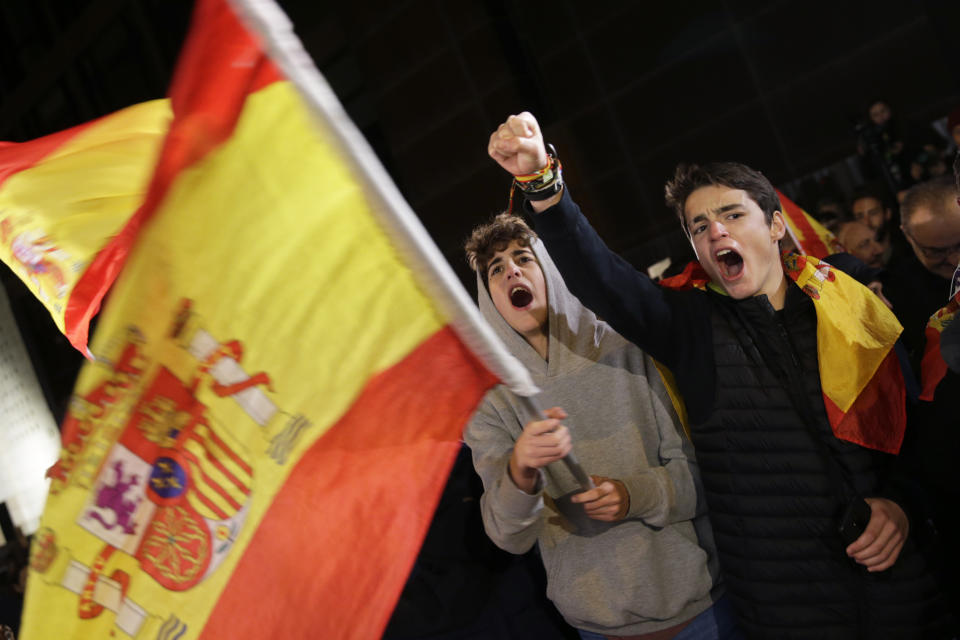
x=689, y=177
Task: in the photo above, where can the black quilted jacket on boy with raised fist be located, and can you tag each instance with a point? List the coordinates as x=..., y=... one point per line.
x=750, y=378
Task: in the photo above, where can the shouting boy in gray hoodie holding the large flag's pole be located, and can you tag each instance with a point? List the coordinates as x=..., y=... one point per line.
x=633, y=557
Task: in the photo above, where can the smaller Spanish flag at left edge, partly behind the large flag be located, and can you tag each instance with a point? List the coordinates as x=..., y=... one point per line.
x=65, y=201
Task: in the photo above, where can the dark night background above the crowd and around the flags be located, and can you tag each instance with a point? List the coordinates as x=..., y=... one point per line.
x=623, y=89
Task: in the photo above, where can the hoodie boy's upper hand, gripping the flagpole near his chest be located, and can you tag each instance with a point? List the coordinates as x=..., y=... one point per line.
x=540, y=443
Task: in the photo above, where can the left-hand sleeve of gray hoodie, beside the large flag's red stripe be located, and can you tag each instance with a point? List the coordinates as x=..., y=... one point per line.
x=511, y=517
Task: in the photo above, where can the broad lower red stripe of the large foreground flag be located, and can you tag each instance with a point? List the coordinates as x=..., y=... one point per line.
x=355, y=509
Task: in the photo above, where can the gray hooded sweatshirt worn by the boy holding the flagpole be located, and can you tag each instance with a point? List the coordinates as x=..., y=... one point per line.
x=652, y=570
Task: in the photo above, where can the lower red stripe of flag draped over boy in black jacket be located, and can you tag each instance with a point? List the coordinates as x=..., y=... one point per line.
x=878, y=415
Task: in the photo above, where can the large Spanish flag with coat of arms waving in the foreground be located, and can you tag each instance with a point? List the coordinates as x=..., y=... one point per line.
x=280, y=376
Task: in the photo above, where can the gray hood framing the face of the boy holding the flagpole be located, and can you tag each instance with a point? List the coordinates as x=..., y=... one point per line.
x=577, y=338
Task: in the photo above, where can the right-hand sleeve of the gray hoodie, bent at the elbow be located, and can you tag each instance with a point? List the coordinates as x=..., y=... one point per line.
x=668, y=493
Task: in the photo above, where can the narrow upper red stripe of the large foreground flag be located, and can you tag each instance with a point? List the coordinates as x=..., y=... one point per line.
x=219, y=66
